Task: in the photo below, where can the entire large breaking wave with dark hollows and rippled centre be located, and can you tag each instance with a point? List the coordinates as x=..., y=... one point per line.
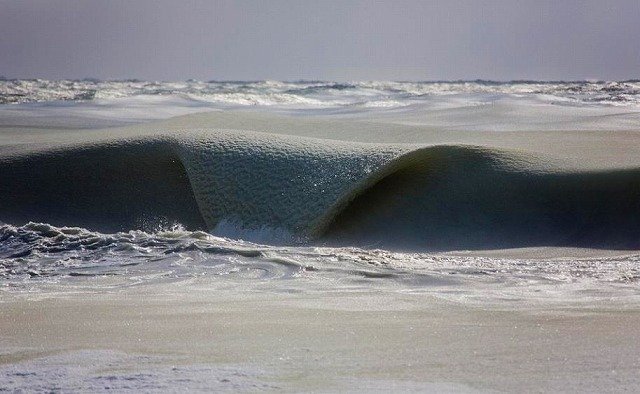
x=402, y=196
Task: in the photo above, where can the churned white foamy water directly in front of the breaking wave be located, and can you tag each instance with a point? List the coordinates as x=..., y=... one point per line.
x=41, y=258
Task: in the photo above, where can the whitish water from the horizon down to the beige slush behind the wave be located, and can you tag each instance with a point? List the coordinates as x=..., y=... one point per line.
x=92, y=103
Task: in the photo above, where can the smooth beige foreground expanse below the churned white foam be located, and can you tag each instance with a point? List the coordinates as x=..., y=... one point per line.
x=341, y=341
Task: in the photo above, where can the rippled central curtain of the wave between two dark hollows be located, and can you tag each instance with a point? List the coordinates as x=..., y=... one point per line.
x=259, y=179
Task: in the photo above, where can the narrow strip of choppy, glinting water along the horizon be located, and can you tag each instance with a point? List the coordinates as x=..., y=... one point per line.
x=318, y=94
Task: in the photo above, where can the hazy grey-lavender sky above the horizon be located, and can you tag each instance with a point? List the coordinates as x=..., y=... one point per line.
x=321, y=39
